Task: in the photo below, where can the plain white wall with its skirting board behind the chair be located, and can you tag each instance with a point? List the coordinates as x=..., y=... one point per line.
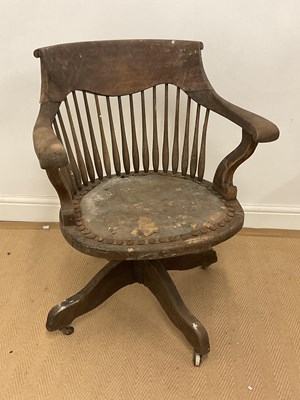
x=251, y=55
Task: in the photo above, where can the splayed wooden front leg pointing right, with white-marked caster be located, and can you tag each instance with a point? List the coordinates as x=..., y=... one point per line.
x=158, y=281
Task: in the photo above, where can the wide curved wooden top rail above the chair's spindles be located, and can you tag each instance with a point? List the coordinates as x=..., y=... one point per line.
x=120, y=67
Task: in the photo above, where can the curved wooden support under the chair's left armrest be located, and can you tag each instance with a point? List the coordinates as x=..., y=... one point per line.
x=67, y=208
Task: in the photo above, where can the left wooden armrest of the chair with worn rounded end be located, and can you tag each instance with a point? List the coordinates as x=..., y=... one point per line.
x=48, y=148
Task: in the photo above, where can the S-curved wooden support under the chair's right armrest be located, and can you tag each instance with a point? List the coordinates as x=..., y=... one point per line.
x=223, y=179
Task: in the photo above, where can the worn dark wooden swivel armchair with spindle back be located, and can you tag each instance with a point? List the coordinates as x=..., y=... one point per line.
x=121, y=133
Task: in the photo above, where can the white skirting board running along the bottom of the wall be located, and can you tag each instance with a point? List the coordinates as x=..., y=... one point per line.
x=46, y=209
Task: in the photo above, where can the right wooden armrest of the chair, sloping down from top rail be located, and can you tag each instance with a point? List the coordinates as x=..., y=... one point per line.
x=261, y=129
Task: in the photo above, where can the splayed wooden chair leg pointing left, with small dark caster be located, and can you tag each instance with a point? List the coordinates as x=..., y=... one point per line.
x=111, y=278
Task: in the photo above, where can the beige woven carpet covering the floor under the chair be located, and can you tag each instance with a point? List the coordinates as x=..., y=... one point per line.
x=127, y=349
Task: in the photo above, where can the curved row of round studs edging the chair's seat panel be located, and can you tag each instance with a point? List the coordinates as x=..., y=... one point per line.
x=130, y=242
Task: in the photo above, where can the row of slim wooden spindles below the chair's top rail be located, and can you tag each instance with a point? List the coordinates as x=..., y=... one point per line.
x=106, y=135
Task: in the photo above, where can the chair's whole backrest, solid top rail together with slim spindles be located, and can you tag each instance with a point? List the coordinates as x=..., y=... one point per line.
x=124, y=107
